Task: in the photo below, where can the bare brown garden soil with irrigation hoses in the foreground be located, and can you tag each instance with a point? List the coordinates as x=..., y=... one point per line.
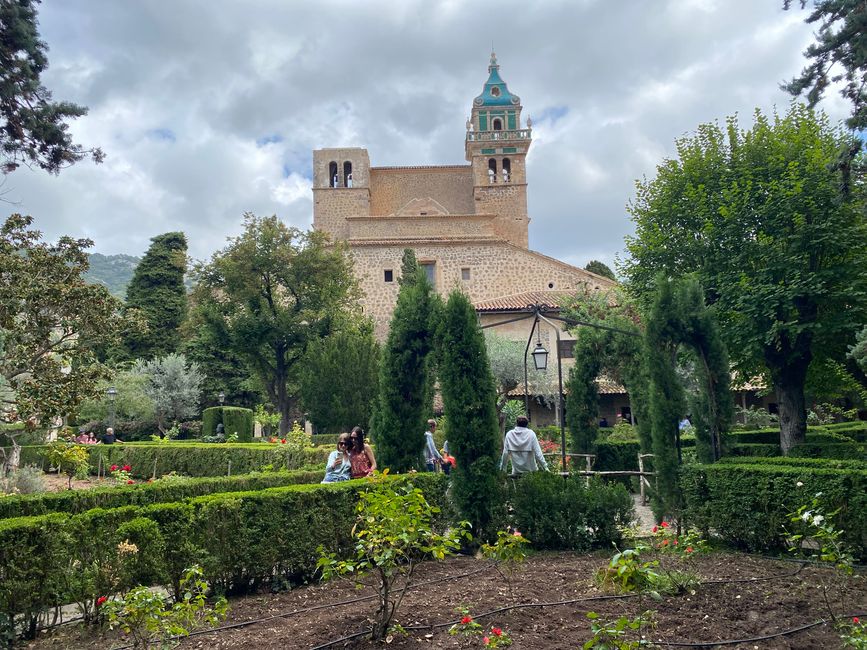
x=740, y=597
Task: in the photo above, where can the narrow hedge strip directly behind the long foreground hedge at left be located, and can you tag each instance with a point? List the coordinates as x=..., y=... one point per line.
x=75, y=501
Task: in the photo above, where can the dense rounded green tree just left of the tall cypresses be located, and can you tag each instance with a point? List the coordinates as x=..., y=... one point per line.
x=338, y=379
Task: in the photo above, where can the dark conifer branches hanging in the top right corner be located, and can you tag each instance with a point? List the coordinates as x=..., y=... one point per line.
x=842, y=42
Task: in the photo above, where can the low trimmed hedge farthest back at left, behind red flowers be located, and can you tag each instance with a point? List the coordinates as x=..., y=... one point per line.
x=193, y=458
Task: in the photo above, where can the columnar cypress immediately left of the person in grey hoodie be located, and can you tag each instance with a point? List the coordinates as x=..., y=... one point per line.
x=469, y=399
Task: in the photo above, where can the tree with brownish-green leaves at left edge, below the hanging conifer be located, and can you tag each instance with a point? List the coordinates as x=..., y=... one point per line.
x=51, y=325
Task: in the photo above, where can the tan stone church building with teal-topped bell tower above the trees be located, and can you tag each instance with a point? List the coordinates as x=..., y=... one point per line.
x=468, y=224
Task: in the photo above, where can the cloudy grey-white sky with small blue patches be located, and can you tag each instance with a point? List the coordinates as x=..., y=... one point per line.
x=207, y=109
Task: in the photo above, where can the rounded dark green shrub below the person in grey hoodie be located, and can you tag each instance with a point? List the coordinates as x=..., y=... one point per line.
x=567, y=514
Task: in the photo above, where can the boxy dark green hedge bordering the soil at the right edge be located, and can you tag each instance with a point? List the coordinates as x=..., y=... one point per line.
x=748, y=505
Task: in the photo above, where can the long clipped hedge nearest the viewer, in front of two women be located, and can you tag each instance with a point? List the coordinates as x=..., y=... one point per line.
x=241, y=539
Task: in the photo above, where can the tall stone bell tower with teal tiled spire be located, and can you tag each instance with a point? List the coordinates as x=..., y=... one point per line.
x=497, y=146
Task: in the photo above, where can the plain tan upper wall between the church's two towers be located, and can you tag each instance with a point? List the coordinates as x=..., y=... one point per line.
x=391, y=188
